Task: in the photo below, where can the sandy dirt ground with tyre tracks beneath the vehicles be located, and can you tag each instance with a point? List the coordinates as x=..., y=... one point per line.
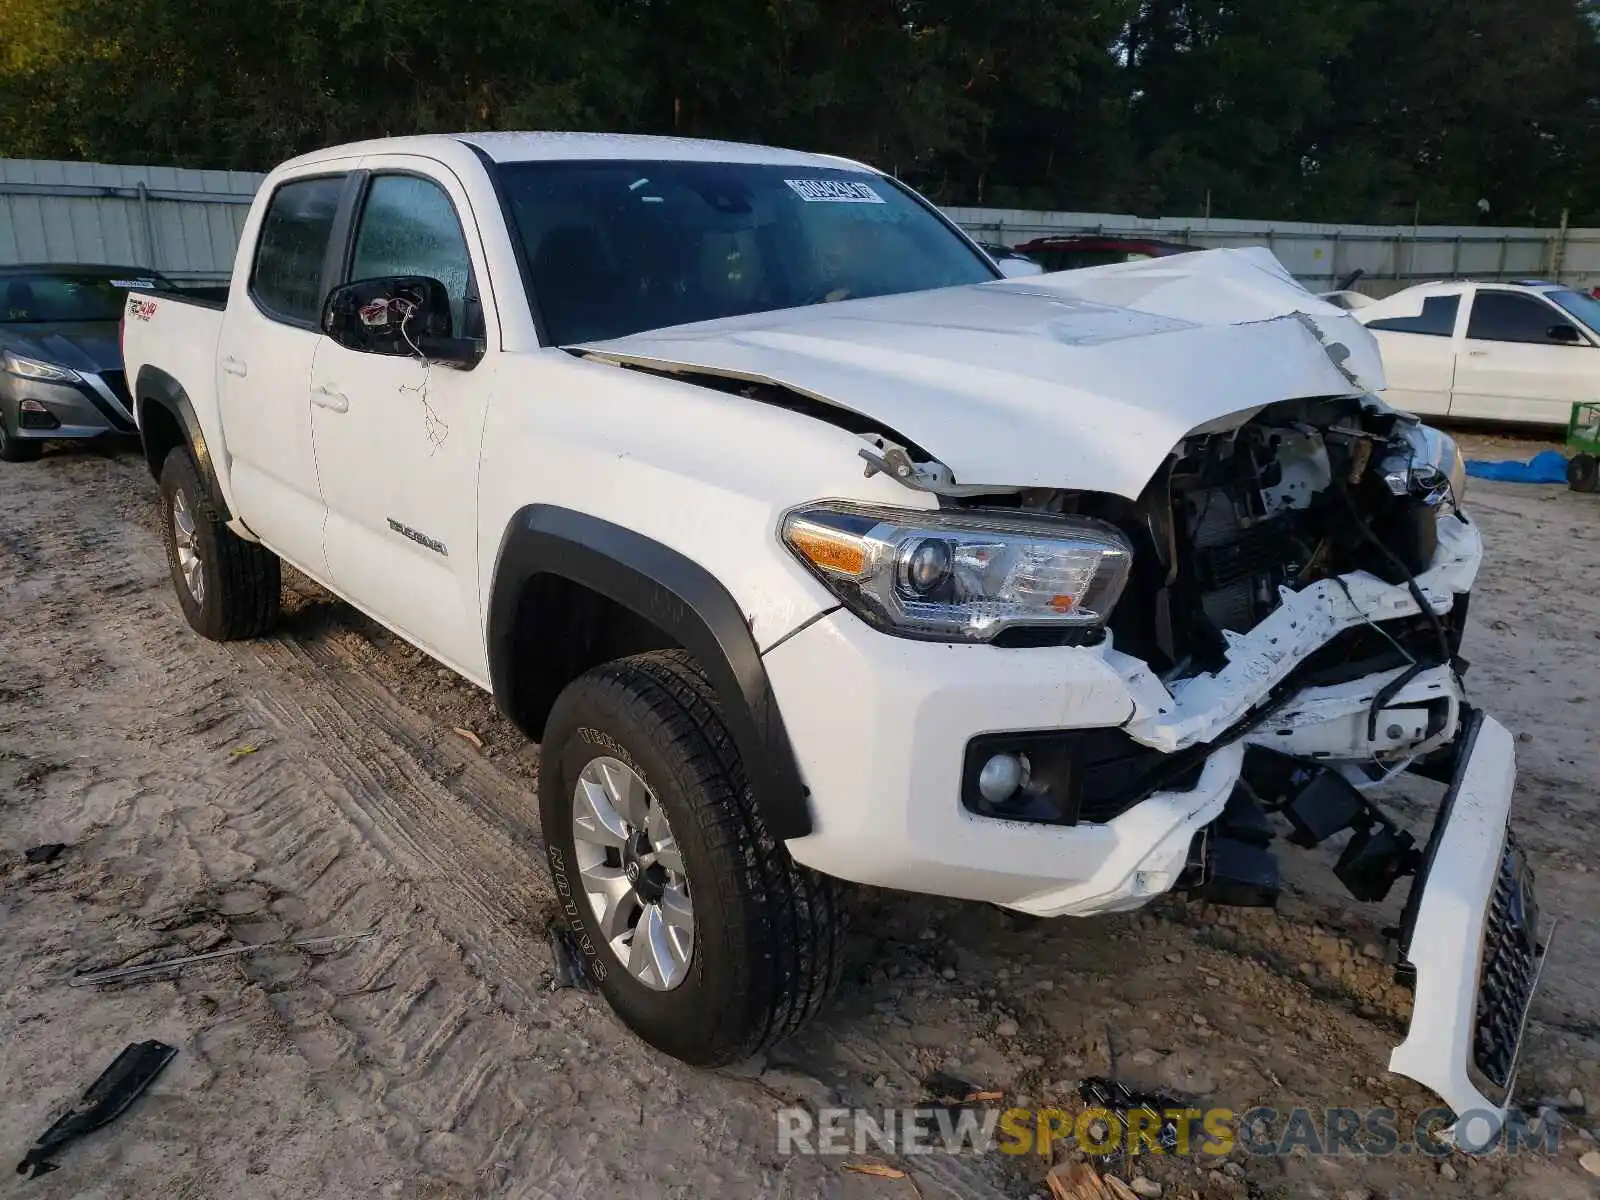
x=319, y=783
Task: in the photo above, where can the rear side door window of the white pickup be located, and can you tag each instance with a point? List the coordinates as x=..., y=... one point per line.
x=292, y=249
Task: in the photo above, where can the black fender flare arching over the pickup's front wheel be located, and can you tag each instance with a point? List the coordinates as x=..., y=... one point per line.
x=678, y=596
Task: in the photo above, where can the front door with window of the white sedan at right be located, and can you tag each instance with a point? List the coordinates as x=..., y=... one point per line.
x=1513, y=369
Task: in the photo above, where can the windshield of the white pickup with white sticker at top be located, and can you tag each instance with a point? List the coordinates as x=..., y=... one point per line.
x=622, y=247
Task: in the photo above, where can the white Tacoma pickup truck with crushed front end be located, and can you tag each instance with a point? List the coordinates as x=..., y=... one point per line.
x=812, y=550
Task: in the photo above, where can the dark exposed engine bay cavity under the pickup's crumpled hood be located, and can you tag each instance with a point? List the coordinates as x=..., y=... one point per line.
x=1302, y=492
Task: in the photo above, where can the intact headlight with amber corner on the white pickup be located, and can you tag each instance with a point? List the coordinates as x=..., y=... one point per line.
x=962, y=577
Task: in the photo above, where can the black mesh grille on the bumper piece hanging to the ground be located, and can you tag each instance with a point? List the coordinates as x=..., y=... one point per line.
x=1508, y=969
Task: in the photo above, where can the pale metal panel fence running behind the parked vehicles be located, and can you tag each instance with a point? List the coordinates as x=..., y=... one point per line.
x=188, y=223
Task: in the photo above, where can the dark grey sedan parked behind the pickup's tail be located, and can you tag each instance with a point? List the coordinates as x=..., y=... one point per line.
x=62, y=353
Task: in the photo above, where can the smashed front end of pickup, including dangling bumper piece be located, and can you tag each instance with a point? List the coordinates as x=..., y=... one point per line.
x=1290, y=641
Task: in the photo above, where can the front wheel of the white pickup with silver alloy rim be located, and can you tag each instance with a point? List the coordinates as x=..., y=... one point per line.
x=702, y=932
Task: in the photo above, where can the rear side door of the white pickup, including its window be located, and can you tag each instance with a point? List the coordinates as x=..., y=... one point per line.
x=265, y=356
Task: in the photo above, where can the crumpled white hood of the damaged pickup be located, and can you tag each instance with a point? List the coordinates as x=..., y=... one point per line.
x=1076, y=380
